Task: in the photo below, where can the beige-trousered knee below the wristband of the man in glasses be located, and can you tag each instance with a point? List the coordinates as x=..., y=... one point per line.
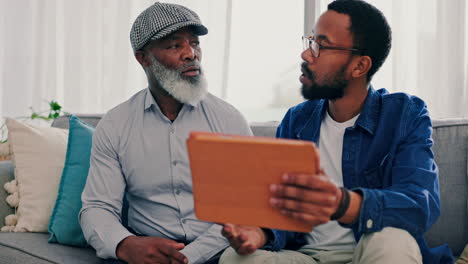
x=391, y=243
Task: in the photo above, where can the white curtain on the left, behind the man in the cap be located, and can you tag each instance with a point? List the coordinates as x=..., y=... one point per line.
x=79, y=53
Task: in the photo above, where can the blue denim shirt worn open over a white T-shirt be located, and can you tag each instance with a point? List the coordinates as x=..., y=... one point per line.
x=387, y=157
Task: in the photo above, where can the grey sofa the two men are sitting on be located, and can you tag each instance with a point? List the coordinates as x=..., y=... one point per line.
x=451, y=153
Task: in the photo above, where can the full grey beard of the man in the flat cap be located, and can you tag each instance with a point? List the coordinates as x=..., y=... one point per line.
x=189, y=90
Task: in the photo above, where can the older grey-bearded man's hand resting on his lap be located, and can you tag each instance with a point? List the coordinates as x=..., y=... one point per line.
x=134, y=249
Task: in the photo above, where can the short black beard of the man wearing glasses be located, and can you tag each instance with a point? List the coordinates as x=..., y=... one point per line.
x=333, y=89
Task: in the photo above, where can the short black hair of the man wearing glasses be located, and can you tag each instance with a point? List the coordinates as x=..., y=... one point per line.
x=371, y=33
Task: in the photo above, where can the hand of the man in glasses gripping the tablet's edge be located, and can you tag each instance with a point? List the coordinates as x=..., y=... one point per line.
x=306, y=197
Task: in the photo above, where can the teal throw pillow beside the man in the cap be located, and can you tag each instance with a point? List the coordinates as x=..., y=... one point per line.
x=64, y=227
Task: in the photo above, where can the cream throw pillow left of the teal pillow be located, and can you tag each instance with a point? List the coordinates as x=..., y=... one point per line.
x=38, y=156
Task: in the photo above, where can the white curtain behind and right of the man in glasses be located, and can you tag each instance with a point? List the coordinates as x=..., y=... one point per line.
x=429, y=53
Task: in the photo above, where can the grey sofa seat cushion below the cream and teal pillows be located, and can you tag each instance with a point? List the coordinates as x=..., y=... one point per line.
x=33, y=248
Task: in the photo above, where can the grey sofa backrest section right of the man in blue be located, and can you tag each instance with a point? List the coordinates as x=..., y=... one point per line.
x=451, y=155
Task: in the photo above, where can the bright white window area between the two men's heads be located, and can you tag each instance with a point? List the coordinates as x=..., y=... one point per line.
x=252, y=54
